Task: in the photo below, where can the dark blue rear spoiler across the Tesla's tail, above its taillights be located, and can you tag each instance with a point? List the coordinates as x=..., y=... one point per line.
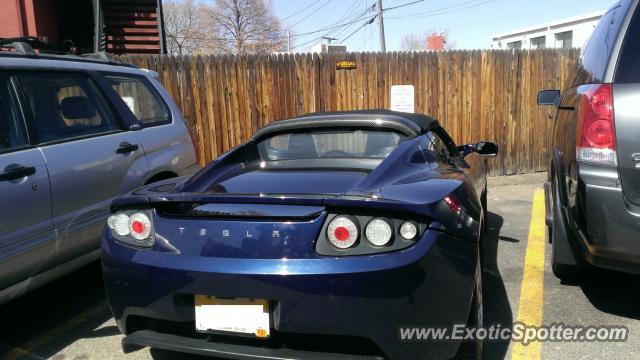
x=417, y=203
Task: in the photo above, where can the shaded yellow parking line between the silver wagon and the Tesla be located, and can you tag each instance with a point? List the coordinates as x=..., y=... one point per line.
x=28, y=347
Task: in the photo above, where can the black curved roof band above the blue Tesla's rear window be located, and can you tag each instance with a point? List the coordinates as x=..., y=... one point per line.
x=407, y=123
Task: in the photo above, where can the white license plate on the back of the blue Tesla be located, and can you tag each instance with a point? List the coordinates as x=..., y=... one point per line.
x=242, y=316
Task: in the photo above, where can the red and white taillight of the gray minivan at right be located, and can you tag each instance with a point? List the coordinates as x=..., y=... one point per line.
x=595, y=135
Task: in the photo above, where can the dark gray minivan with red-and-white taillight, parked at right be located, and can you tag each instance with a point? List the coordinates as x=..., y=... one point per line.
x=593, y=192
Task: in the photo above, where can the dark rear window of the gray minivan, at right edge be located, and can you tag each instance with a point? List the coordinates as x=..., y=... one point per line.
x=628, y=68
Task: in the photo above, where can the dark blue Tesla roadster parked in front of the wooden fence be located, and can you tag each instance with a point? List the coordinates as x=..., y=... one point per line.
x=322, y=237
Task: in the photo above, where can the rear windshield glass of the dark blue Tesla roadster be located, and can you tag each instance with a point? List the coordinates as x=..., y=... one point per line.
x=330, y=144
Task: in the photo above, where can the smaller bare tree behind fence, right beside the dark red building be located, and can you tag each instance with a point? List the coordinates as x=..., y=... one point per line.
x=189, y=28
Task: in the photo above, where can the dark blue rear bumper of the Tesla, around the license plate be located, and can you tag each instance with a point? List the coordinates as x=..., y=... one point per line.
x=313, y=302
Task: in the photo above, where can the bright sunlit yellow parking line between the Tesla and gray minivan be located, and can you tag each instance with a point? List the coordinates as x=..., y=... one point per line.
x=530, y=307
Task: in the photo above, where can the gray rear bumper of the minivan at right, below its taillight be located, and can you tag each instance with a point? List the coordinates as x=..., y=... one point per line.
x=609, y=236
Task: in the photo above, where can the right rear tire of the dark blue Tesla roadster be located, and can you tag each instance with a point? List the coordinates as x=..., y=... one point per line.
x=472, y=350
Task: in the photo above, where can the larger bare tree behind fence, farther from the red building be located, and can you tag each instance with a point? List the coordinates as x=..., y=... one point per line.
x=249, y=26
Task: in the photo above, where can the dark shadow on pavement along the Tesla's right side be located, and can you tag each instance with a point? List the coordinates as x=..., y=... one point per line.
x=496, y=302
